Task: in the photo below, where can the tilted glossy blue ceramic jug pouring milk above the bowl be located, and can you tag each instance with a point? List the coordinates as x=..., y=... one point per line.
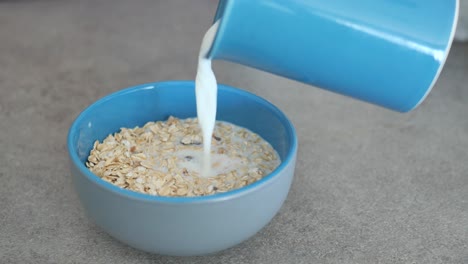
x=386, y=52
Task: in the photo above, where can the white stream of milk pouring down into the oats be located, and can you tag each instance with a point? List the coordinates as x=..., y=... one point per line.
x=206, y=90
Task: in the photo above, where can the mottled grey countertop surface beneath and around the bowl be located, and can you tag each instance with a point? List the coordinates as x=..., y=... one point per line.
x=371, y=185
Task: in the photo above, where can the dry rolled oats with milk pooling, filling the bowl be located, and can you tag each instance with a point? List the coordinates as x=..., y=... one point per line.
x=161, y=158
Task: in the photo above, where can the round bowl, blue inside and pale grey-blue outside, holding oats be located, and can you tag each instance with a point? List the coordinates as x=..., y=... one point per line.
x=180, y=226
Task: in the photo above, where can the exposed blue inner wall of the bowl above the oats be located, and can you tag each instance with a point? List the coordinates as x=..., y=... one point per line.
x=157, y=101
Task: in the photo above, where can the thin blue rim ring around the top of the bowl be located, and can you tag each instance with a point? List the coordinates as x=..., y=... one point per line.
x=290, y=156
